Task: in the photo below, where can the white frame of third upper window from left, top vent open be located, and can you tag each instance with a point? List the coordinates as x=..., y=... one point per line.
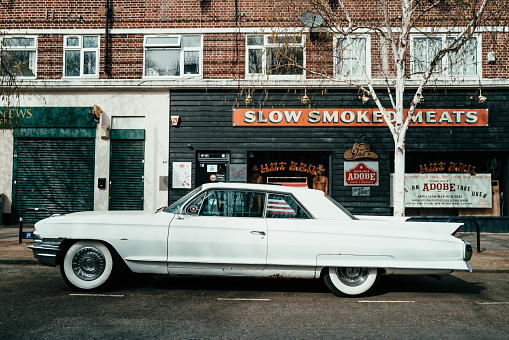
x=177, y=46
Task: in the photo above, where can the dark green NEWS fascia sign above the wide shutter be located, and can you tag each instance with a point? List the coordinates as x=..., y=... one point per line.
x=47, y=117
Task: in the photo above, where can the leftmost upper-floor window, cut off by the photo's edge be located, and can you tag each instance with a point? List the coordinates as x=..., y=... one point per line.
x=19, y=56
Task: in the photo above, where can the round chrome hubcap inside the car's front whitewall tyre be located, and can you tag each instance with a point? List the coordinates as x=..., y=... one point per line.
x=88, y=263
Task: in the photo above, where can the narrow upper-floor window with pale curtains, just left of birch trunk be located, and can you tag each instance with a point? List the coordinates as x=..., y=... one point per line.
x=347, y=64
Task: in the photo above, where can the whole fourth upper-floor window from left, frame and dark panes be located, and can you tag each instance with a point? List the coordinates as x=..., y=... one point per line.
x=275, y=55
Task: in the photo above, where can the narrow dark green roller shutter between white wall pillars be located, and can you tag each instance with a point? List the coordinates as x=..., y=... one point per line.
x=126, y=174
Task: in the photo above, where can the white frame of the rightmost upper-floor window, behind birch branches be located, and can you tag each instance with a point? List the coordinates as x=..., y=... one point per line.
x=446, y=65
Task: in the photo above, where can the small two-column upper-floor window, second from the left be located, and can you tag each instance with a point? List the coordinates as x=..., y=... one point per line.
x=81, y=56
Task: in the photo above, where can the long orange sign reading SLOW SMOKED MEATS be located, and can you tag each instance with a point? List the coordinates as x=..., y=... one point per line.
x=356, y=117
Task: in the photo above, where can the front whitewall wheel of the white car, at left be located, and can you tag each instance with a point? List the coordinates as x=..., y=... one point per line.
x=89, y=265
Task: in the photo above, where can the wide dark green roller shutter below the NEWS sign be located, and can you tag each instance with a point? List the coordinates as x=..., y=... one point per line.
x=57, y=174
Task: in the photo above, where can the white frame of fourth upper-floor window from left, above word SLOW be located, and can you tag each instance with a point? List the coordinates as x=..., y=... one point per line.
x=266, y=45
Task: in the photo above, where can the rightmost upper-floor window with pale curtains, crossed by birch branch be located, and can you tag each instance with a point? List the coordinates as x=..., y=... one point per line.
x=465, y=62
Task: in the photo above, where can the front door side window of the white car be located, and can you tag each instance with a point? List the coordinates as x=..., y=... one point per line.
x=229, y=203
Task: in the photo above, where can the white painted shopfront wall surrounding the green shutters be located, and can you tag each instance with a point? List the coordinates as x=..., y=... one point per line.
x=148, y=109
